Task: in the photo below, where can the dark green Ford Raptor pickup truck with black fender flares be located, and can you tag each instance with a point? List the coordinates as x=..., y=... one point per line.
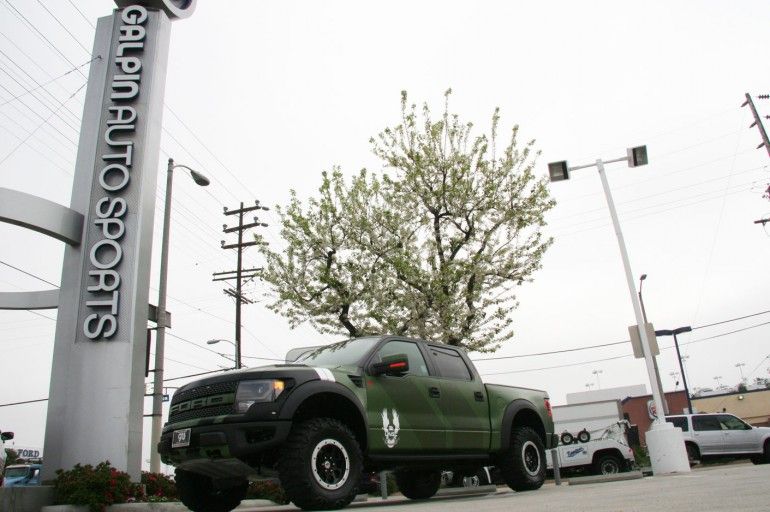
x=339, y=411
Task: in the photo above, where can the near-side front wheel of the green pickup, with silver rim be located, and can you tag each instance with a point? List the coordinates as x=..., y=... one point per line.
x=320, y=465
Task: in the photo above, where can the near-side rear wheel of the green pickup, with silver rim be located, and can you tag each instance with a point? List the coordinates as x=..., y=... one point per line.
x=523, y=464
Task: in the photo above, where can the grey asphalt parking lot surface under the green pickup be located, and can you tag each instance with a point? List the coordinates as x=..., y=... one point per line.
x=735, y=487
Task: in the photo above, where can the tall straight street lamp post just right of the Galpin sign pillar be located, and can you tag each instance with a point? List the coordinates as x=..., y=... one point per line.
x=160, y=338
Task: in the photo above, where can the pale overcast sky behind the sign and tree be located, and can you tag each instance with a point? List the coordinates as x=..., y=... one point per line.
x=263, y=96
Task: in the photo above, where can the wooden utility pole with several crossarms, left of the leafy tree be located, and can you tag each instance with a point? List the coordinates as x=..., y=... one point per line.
x=240, y=274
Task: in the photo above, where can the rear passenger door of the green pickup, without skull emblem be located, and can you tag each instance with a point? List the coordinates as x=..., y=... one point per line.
x=463, y=402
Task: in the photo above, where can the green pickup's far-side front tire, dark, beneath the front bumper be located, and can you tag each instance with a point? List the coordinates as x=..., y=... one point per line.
x=199, y=494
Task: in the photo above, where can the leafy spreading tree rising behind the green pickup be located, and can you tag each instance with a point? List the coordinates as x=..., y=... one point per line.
x=432, y=247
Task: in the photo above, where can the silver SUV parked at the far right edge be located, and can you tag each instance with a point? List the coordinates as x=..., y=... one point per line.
x=722, y=435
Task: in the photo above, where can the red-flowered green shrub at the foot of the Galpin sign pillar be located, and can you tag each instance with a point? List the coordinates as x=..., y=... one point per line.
x=95, y=487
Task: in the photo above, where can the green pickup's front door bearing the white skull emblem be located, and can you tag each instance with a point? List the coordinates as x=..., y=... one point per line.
x=403, y=411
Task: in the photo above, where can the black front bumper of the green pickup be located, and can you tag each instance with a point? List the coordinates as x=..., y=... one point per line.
x=224, y=440
